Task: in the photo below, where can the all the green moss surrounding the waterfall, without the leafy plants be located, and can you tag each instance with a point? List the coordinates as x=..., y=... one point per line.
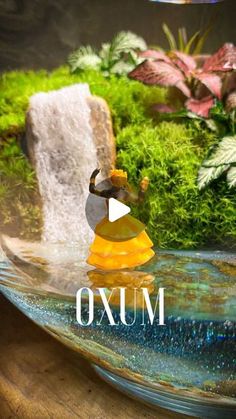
x=177, y=214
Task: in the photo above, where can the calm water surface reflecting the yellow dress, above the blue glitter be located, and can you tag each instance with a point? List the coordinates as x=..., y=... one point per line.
x=196, y=283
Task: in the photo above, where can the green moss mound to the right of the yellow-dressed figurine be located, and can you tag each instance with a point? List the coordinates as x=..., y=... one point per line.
x=177, y=214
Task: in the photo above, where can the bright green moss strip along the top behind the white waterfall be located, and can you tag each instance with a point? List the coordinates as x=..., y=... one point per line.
x=127, y=99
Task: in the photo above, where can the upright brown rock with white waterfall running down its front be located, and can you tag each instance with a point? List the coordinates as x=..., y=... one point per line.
x=69, y=134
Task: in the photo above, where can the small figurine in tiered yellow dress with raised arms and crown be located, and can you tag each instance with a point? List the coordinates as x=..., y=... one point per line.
x=123, y=243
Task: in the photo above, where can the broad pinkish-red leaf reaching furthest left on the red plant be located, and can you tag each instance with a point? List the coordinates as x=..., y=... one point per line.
x=160, y=73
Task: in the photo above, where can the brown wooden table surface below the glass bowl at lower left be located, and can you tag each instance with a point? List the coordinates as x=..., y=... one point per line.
x=40, y=378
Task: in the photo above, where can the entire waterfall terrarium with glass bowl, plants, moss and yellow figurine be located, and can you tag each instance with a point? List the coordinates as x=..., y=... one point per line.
x=173, y=117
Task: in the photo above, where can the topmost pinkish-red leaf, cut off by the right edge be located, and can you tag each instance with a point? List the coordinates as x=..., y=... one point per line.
x=223, y=60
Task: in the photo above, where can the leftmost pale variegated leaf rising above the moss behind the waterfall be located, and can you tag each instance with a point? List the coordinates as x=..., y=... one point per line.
x=84, y=58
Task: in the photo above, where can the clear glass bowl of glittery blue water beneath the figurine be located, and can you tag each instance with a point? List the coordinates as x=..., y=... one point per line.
x=188, y=365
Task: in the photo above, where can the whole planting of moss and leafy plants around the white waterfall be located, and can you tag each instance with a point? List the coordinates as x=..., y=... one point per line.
x=174, y=121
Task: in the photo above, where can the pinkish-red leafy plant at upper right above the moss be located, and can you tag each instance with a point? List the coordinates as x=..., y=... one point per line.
x=199, y=85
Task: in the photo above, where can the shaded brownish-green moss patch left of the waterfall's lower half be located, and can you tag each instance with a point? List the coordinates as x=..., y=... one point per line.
x=19, y=203
